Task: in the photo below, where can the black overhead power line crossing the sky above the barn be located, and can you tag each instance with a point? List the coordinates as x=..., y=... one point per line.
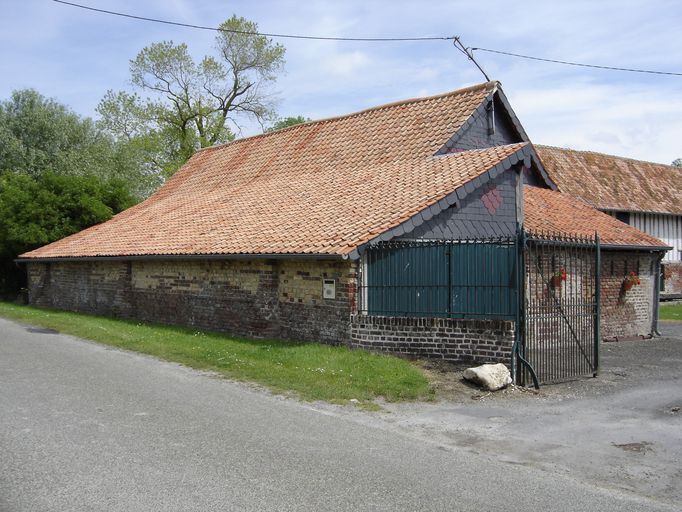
x=467, y=51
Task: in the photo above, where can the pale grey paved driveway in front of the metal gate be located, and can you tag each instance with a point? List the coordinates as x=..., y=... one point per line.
x=622, y=430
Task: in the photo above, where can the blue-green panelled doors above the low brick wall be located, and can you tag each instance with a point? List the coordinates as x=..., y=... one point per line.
x=456, y=280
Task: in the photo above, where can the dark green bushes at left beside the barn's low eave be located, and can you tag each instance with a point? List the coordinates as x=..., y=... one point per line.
x=36, y=210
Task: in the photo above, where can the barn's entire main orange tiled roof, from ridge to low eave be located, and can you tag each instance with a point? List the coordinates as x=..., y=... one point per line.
x=324, y=187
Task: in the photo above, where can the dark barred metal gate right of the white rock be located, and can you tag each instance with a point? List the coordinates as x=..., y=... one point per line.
x=558, y=337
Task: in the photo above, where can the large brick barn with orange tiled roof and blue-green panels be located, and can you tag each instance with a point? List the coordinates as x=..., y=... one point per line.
x=396, y=228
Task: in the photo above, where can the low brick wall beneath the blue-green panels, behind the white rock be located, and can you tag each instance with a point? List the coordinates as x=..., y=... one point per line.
x=435, y=338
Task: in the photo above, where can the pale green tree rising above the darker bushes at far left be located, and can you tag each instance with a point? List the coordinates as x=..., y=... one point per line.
x=39, y=135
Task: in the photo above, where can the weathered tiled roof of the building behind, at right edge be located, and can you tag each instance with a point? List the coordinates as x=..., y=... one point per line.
x=614, y=183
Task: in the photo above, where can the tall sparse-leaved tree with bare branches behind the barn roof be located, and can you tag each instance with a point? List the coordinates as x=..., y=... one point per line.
x=190, y=104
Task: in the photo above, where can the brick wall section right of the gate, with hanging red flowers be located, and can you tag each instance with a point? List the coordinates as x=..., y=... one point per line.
x=627, y=314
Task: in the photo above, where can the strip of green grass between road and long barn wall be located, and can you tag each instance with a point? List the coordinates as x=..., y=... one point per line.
x=313, y=371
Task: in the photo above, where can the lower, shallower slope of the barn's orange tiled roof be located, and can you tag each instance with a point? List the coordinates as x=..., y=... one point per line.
x=246, y=210
